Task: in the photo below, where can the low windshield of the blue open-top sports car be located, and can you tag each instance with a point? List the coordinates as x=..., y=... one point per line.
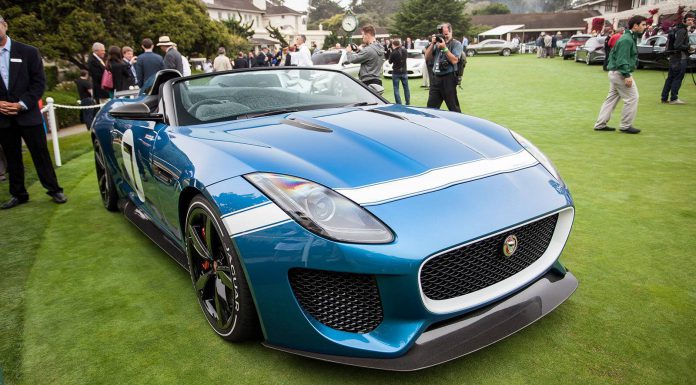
x=248, y=94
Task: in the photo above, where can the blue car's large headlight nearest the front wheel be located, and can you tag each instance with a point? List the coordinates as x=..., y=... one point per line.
x=321, y=210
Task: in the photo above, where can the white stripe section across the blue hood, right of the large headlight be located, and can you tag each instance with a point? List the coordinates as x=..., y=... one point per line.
x=437, y=179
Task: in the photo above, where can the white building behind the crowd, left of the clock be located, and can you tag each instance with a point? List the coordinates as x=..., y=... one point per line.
x=263, y=13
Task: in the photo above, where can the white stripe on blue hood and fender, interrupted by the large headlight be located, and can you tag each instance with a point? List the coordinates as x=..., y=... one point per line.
x=268, y=215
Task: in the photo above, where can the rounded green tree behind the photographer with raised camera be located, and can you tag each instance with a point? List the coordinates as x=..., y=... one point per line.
x=419, y=18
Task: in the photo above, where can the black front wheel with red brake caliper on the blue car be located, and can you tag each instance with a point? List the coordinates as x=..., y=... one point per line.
x=217, y=275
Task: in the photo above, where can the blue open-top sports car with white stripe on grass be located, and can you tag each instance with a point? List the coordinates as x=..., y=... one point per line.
x=313, y=214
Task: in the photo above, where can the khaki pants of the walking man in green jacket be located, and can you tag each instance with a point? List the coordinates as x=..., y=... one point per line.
x=618, y=90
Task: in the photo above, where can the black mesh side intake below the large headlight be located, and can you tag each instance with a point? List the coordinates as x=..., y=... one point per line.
x=343, y=301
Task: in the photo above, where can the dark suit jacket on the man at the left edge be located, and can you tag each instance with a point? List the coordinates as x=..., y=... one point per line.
x=27, y=84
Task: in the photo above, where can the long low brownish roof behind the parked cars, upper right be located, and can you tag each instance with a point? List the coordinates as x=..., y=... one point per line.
x=537, y=21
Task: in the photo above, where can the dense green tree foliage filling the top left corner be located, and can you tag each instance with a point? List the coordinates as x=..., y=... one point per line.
x=66, y=29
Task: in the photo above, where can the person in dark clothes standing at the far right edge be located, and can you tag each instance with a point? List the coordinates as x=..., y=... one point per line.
x=678, y=45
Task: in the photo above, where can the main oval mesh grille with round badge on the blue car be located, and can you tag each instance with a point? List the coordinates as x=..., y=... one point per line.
x=481, y=264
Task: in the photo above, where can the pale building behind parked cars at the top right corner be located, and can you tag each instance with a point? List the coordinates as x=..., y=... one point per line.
x=618, y=10
